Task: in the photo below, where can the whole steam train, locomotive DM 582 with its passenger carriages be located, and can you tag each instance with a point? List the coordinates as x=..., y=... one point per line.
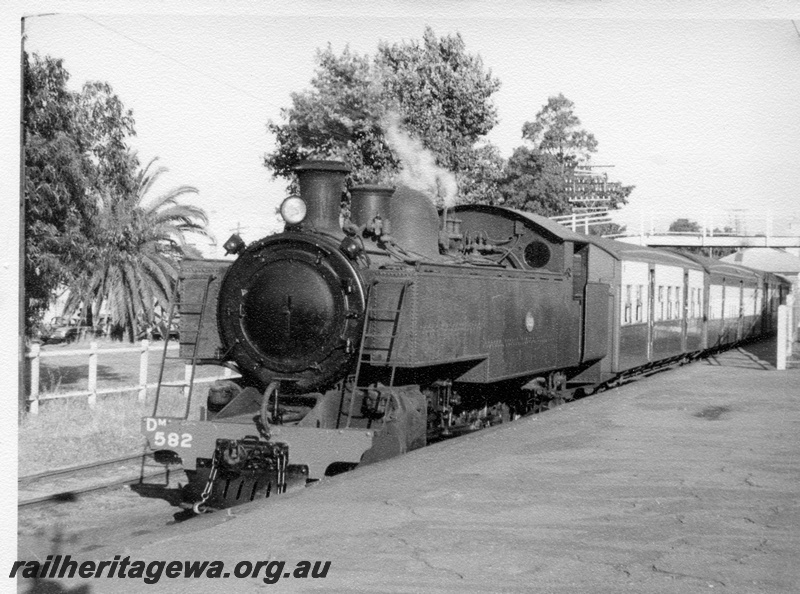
x=358, y=338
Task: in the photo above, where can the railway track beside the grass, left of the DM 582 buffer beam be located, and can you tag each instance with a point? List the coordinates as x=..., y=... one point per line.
x=68, y=484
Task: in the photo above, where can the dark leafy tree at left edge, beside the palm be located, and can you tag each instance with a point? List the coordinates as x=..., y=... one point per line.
x=74, y=150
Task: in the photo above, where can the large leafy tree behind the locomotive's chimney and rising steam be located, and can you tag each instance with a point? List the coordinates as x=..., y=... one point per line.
x=432, y=89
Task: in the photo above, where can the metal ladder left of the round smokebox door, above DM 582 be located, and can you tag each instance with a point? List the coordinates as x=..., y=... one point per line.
x=187, y=385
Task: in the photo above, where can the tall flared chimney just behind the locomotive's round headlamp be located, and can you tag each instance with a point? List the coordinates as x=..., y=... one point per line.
x=321, y=187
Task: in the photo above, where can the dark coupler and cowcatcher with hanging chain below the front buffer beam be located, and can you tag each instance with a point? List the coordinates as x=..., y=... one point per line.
x=243, y=470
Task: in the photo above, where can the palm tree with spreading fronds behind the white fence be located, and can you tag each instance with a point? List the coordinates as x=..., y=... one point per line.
x=137, y=245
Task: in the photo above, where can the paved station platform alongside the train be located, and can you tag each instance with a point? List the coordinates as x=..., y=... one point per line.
x=685, y=481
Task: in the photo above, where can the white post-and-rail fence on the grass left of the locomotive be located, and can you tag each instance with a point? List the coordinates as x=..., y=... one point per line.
x=35, y=354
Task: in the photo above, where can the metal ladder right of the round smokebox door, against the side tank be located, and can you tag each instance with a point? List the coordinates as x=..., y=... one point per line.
x=372, y=314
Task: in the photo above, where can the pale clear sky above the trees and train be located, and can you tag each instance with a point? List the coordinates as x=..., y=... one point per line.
x=698, y=114
